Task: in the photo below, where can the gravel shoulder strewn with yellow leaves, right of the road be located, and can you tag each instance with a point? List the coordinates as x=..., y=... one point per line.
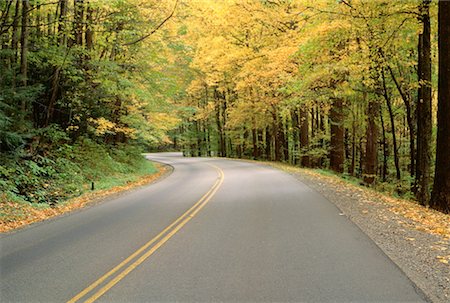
x=416, y=238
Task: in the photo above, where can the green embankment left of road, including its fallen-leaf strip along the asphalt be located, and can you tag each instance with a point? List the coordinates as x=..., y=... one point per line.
x=42, y=184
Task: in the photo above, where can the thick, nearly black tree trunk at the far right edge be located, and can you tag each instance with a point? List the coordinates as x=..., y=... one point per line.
x=440, y=198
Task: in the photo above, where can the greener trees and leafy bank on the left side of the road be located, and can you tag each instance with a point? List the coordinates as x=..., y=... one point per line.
x=80, y=99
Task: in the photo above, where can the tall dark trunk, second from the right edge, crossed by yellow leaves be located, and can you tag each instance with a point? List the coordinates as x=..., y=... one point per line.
x=424, y=126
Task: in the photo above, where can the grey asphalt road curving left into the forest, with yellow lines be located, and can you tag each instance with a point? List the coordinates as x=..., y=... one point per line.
x=237, y=232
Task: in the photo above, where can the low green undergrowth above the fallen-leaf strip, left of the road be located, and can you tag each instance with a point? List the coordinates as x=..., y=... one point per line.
x=52, y=168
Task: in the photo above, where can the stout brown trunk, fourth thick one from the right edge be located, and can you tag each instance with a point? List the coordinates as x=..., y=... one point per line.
x=337, y=135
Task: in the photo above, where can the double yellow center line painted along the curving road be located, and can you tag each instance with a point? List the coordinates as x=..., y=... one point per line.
x=112, y=277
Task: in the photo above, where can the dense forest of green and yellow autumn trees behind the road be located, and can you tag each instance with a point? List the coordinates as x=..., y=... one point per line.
x=358, y=87
